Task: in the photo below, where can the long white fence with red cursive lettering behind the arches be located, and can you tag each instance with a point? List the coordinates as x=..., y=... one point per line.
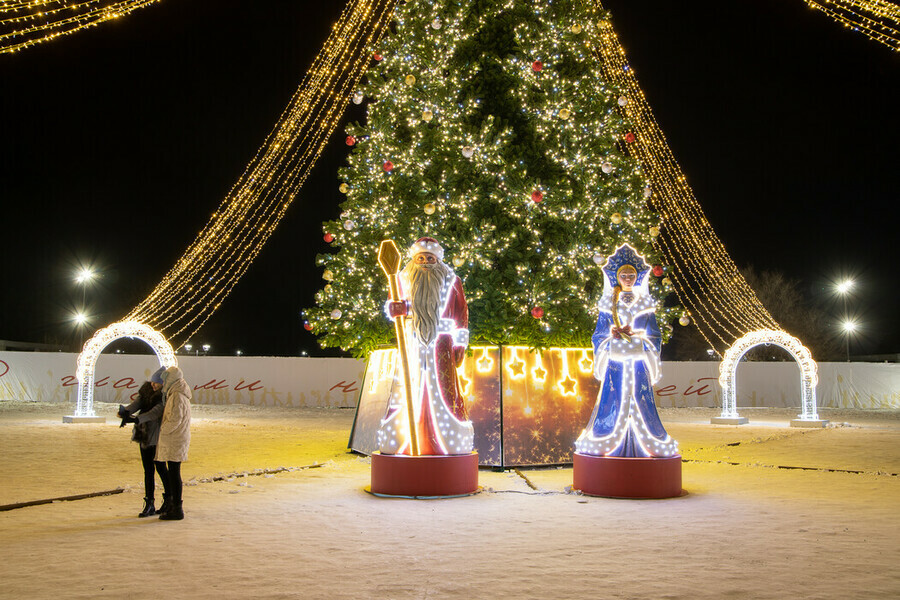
x=335, y=382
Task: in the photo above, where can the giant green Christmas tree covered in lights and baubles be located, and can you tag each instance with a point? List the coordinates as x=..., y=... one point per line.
x=490, y=128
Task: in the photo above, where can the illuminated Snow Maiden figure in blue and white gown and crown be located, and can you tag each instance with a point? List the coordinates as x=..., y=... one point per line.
x=627, y=342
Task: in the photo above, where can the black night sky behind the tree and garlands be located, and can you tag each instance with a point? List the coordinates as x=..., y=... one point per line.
x=119, y=142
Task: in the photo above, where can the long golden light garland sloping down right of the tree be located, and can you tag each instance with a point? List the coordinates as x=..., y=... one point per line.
x=704, y=276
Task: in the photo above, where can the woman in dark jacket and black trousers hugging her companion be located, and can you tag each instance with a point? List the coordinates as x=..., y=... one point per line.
x=146, y=413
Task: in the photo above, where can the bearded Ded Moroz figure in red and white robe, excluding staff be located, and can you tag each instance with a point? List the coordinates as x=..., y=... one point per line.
x=436, y=338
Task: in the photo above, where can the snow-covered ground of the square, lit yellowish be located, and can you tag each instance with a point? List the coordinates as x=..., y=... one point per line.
x=770, y=512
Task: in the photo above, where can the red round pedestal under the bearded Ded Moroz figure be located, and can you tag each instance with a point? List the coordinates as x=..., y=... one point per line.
x=401, y=475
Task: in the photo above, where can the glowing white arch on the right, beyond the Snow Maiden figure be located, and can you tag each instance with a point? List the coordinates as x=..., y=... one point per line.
x=809, y=378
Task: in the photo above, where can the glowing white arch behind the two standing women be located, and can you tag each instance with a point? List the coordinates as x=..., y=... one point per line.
x=87, y=360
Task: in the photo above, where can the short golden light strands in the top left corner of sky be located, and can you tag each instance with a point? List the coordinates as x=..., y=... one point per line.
x=26, y=23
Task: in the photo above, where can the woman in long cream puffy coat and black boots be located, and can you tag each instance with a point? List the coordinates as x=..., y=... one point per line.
x=174, y=436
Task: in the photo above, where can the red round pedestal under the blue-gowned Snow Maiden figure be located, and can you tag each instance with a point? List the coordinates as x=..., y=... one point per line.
x=618, y=477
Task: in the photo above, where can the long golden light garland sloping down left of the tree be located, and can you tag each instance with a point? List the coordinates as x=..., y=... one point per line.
x=223, y=251
